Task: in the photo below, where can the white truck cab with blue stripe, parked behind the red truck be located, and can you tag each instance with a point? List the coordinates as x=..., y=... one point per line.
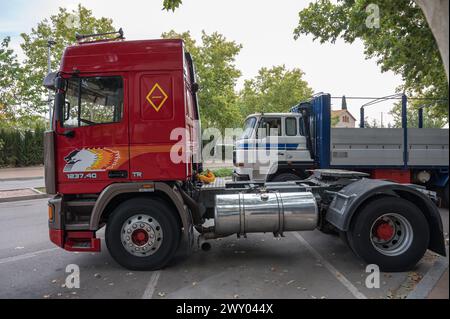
x=283, y=132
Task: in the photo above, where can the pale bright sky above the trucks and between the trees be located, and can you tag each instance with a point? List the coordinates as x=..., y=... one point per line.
x=264, y=28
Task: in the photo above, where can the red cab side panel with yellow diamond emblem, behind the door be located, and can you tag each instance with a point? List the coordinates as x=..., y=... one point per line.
x=158, y=111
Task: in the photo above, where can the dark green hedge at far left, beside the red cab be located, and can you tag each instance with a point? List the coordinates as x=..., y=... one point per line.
x=21, y=148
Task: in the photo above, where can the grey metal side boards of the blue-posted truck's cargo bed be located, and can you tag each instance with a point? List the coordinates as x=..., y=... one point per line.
x=385, y=147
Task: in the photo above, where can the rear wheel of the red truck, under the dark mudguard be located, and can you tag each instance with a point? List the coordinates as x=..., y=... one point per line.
x=391, y=233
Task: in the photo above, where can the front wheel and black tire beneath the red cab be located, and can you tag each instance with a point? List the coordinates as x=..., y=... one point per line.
x=143, y=234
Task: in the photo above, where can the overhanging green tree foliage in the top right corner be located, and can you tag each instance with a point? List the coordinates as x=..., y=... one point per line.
x=396, y=33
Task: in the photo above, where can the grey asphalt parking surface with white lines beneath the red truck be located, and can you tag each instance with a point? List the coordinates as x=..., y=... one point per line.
x=300, y=265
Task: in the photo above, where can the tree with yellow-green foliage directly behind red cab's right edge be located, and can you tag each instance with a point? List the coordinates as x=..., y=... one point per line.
x=217, y=75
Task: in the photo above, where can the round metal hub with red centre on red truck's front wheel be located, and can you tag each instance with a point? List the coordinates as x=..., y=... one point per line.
x=141, y=235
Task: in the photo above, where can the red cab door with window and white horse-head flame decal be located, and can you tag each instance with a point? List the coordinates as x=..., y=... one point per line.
x=92, y=139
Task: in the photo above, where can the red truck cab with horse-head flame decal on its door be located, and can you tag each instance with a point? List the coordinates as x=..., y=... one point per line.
x=125, y=114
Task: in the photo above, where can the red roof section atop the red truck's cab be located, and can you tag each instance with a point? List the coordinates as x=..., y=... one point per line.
x=112, y=56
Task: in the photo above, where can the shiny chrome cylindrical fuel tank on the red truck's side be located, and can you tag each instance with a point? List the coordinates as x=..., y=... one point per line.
x=265, y=212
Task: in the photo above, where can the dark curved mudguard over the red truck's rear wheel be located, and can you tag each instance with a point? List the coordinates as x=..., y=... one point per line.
x=349, y=199
